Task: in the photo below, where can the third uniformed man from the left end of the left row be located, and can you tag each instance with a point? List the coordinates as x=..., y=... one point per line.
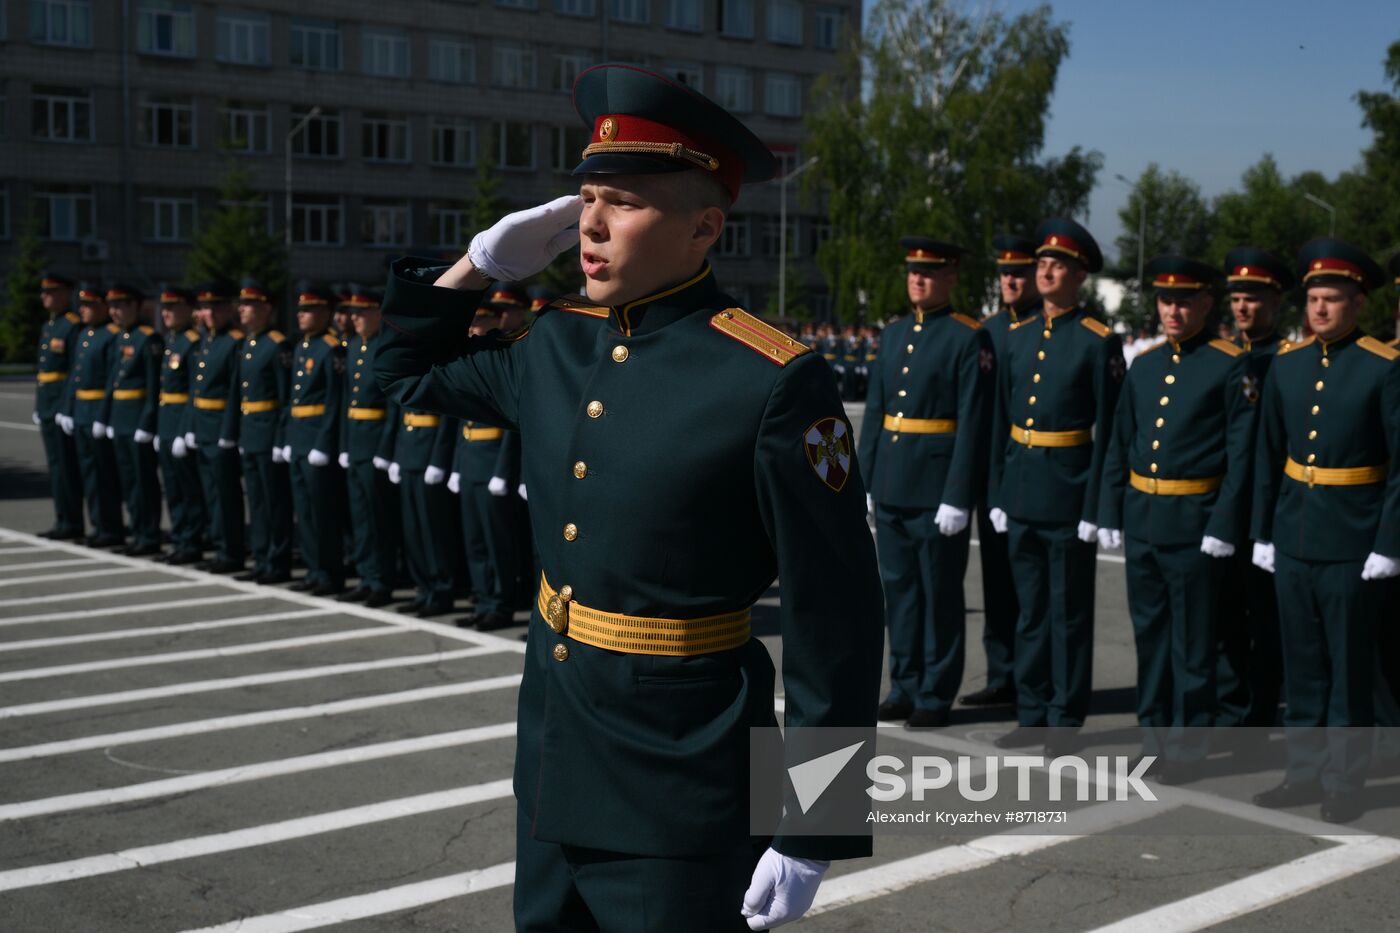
x=134, y=389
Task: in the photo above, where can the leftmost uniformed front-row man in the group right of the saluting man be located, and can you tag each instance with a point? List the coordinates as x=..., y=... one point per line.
x=923, y=455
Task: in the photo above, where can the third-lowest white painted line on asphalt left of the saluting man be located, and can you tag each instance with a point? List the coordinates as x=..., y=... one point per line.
x=261, y=771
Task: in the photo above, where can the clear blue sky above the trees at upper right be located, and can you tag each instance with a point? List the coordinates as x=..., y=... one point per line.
x=1209, y=88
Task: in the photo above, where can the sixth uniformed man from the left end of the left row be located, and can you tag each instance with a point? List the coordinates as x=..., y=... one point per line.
x=261, y=396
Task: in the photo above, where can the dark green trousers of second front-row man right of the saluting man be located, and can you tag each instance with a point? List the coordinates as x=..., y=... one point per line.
x=1055, y=575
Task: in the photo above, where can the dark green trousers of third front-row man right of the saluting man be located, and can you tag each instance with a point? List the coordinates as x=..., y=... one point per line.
x=1172, y=599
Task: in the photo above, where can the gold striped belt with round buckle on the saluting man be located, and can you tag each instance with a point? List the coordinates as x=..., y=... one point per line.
x=638, y=635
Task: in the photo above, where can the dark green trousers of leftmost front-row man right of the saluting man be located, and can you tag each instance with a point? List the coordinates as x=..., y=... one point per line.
x=925, y=606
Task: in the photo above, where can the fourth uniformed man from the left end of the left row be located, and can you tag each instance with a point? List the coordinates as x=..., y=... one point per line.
x=180, y=470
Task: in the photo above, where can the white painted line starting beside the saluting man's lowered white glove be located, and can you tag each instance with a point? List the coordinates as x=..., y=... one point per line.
x=895, y=876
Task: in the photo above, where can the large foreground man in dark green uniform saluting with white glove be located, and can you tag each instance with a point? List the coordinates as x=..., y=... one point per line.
x=680, y=455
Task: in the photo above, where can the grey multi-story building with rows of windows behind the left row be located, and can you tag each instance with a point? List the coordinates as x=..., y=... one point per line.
x=118, y=118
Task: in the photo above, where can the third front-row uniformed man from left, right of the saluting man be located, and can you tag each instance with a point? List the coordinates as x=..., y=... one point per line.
x=1177, y=497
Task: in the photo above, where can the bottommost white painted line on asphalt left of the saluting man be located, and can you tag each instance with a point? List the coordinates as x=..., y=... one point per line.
x=365, y=906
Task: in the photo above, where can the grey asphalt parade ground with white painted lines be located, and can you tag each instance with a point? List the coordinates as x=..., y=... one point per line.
x=180, y=752
